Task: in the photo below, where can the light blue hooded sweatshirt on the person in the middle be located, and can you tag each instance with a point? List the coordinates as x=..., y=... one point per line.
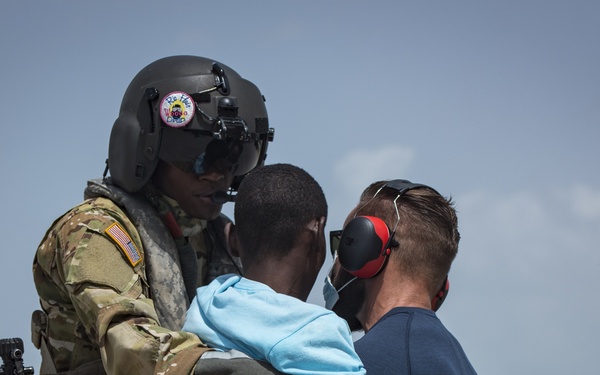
x=296, y=337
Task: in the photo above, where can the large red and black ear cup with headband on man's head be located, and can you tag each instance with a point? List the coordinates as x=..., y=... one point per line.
x=365, y=242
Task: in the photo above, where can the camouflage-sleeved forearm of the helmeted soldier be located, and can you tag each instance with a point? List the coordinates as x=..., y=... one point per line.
x=130, y=338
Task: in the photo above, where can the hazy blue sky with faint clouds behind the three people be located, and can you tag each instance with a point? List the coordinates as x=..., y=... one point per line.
x=496, y=104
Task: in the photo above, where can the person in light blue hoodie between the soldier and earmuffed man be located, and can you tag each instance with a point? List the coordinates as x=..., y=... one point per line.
x=280, y=215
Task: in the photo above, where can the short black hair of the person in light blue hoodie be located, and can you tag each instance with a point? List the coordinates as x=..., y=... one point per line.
x=273, y=205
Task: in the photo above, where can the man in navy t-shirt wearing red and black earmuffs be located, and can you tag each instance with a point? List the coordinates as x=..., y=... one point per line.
x=389, y=276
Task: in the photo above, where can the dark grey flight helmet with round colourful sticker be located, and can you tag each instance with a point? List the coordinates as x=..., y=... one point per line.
x=189, y=111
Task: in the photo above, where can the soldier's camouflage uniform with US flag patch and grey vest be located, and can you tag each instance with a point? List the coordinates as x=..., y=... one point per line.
x=112, y=288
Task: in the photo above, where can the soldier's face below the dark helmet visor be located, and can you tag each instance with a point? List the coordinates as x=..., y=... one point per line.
x=193, y=192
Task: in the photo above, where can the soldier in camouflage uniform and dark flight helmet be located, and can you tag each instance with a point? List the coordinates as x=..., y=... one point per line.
x=115, y=274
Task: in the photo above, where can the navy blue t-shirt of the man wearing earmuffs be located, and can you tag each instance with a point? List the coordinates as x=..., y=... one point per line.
x=410, y=340
